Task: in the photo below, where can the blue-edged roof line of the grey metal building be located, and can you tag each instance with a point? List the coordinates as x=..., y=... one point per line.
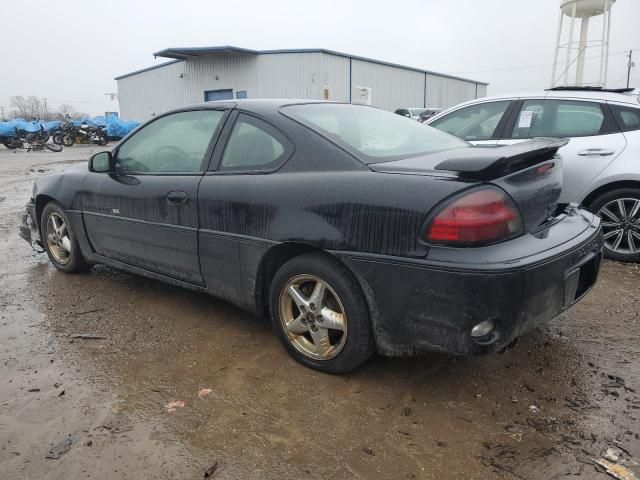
x=180, y=54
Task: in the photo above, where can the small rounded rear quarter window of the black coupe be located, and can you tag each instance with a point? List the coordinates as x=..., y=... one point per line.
x=253, y=145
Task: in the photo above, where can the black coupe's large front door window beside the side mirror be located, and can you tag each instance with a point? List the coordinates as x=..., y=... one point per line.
x=175, y=143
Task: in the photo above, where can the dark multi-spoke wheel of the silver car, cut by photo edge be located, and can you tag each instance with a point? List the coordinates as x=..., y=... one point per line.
x=607, y=206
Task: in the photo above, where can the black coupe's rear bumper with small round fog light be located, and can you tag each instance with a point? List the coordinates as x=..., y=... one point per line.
x=432, y=304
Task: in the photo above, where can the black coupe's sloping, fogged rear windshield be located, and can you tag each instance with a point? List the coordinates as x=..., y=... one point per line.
x=373, y=135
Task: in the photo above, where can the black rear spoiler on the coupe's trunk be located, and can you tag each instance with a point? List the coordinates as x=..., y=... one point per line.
x=488, y=163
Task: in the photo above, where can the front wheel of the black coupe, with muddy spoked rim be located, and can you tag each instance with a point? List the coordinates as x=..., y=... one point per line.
x=63, y=250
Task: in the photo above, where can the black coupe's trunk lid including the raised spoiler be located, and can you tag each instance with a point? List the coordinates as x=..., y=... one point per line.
x=530, y=172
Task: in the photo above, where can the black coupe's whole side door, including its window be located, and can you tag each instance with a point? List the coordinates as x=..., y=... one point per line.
x=145, y=212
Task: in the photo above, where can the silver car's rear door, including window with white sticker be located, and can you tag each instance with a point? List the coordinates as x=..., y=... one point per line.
x=595, y=139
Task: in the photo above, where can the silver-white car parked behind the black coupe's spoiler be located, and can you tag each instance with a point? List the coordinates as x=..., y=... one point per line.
x=601, y=163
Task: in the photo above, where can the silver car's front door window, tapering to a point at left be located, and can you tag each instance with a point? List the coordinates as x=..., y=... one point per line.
x=475, y=122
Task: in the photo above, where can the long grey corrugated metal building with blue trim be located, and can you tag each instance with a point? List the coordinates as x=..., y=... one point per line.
x=220, y=73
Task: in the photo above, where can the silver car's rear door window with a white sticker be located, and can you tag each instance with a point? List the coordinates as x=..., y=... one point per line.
x=559, y=118
